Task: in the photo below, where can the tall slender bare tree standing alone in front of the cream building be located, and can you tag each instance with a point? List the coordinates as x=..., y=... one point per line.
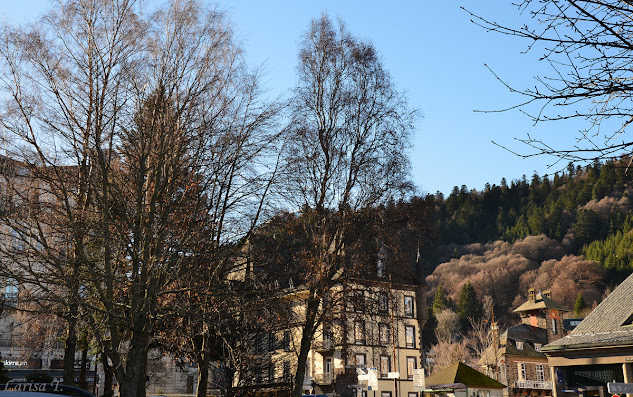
x=345, y=151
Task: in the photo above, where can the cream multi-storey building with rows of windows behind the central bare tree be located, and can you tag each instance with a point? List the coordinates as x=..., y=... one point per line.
x=372, y=329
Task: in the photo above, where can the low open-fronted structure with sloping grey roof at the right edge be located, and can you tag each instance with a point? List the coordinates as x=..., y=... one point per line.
x=599, y=350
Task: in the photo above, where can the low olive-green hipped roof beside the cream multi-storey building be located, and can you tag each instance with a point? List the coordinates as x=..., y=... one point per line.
x=461, y=380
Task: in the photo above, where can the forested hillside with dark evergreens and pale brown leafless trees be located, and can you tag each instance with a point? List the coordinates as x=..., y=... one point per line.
x=570, y=232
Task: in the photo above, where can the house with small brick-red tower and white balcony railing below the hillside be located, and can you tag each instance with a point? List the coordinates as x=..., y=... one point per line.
x=520, y=363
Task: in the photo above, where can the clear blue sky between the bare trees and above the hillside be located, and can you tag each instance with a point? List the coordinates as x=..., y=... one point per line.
x=434, y=53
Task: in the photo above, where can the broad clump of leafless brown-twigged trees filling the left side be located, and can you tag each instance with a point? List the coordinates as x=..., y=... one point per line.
x=121, y=121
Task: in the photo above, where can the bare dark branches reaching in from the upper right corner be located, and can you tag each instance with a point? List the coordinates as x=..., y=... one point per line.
x=588, y=46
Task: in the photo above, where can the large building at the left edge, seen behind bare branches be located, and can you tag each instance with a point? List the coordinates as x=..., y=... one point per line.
x=30, y=335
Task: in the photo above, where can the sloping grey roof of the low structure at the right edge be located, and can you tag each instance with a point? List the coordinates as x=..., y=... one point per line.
x=609, y=324
